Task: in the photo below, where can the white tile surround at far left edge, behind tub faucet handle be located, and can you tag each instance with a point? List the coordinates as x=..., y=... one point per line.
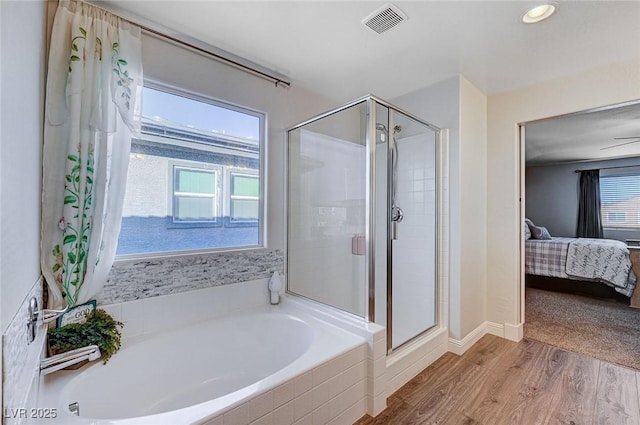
x=21, y=359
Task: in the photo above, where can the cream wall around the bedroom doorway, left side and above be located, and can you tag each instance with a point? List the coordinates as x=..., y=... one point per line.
x=606, y=85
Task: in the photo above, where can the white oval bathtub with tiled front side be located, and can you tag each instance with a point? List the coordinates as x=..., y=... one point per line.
x=273, y=365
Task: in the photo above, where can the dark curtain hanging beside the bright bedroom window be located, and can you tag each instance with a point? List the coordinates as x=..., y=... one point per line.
x=589, y=218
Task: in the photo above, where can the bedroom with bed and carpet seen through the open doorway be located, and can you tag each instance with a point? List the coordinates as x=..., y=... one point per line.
x=580, y=238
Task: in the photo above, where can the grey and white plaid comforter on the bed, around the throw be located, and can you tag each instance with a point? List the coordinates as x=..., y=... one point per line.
x=549, y=258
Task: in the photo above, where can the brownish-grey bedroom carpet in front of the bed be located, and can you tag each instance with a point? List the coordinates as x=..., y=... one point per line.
x=602, y=329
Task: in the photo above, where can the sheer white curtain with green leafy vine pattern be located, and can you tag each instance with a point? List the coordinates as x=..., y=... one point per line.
x=93, y=104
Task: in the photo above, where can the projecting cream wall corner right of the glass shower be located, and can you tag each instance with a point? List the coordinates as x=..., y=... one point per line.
x=457, y=105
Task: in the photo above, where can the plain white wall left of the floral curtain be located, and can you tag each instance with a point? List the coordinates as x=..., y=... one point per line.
x=22, y=92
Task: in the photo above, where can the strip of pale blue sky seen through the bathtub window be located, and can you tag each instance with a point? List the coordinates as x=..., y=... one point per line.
x=201, y=115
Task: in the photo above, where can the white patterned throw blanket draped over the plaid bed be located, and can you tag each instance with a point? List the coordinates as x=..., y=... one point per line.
x=604, y=260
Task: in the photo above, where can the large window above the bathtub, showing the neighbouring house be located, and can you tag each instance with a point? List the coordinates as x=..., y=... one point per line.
x=194, y=179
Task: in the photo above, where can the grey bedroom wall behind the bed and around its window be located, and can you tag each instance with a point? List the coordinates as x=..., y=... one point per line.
x=551, y=197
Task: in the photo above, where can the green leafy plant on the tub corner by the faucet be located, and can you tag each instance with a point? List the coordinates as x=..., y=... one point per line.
x=99, y=329
